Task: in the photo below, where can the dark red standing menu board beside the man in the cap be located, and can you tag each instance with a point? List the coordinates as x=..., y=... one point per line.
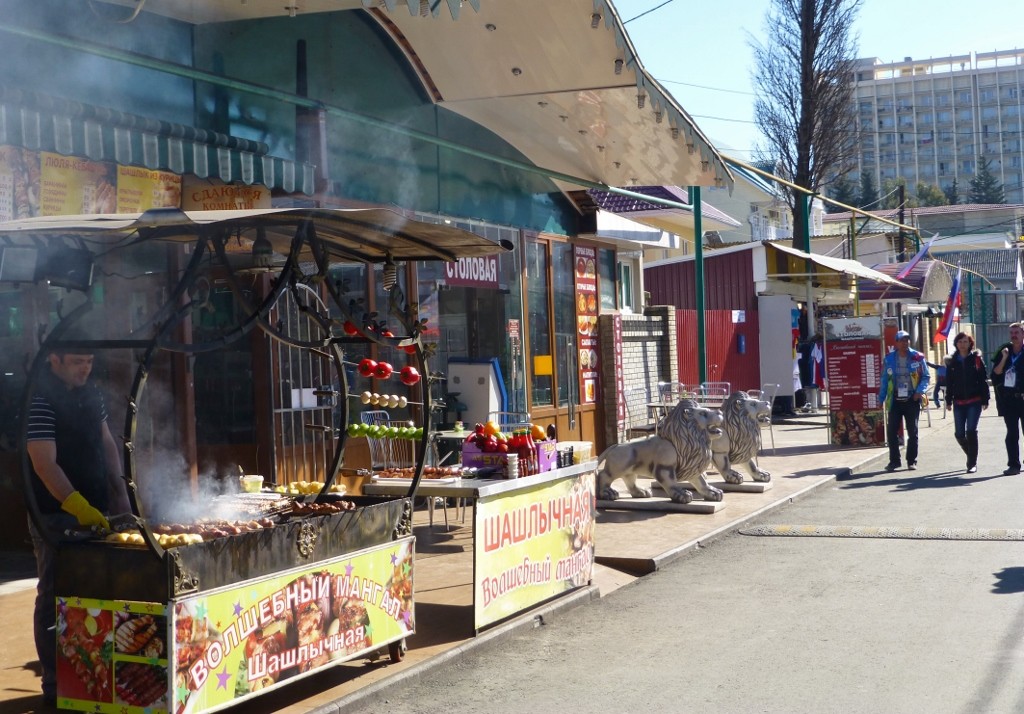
x=854, y=364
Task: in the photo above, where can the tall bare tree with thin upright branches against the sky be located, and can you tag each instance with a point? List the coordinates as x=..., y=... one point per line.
x=805, y=104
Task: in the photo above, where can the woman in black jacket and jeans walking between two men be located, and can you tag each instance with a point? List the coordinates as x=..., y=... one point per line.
x=967, y=395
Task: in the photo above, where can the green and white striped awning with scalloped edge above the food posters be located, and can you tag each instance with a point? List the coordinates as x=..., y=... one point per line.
x=42, y=123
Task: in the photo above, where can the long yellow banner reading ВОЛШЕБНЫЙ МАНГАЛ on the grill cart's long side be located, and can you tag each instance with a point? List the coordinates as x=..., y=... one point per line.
x=242, y=641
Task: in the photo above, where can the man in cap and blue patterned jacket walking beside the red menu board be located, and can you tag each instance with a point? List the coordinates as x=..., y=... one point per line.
x=905, y=384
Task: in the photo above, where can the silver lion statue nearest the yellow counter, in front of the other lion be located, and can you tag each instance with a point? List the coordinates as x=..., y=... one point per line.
x=678, y=455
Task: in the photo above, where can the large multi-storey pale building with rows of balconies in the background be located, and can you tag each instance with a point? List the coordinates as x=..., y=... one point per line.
x=937, y=120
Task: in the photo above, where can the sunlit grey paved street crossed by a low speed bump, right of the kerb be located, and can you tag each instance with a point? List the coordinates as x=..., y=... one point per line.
x=791, y=624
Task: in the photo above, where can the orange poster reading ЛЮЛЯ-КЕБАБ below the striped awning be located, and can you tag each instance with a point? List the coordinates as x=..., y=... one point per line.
x=71, y=186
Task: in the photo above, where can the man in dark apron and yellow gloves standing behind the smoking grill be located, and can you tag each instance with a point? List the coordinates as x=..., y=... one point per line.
x=78, y=478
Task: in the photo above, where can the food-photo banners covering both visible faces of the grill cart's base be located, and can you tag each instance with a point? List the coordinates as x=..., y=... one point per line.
x=209, y=651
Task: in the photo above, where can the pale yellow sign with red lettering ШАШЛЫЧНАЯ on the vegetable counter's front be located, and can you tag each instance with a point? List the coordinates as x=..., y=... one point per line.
x=533, y=547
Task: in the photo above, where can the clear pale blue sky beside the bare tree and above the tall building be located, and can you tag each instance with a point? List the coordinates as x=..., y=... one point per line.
x=701, y=51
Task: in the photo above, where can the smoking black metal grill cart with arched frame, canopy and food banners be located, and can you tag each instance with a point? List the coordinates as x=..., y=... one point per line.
x=204, y=597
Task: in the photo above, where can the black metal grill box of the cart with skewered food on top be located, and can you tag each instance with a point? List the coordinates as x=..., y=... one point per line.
x=210, y=553
